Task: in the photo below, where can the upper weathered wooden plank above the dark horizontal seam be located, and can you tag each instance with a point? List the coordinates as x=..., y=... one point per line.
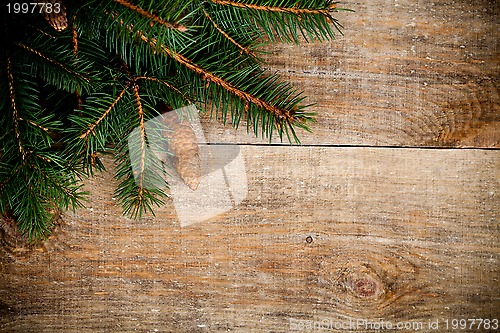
x=405, y=73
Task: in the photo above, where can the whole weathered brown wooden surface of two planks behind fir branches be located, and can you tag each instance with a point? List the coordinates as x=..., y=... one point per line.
x=390, y=210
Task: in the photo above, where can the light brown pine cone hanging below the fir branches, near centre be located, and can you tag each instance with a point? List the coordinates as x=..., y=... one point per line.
x=183, y=144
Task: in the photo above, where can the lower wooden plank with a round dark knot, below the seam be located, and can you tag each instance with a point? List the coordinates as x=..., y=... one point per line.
x=335, y=234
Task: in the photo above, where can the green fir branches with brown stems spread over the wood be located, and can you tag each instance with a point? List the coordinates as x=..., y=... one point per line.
x=74, y=84
